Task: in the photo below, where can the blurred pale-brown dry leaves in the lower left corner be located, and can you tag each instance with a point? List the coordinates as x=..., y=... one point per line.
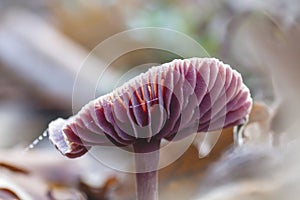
x=52, y=176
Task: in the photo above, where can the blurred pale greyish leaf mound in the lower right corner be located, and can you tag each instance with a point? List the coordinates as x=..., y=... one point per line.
x=254, y=172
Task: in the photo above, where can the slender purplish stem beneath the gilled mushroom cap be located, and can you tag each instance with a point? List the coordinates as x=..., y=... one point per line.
x=146, y=161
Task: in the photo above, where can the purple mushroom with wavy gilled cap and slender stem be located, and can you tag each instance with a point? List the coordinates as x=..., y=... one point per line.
x=170, y=101
